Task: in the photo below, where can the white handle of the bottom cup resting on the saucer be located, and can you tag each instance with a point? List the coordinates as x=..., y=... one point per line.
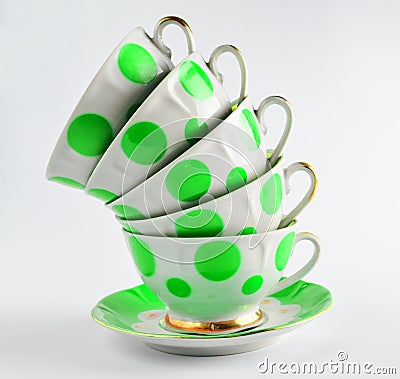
x=307, y=267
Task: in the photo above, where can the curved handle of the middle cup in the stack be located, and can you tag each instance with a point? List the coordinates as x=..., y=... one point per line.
x=264, y=105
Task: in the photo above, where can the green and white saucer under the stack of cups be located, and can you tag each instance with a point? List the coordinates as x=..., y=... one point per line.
x=139, y=312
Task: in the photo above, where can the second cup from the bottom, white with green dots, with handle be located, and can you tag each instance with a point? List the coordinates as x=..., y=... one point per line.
x=255, y=208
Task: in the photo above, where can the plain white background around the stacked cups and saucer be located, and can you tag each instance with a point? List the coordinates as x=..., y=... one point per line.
x=338, y=62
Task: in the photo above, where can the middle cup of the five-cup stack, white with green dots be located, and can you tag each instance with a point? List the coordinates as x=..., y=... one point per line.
x=225, y=159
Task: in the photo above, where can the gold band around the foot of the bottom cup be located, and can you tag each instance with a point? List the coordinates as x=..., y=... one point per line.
x=214, y=326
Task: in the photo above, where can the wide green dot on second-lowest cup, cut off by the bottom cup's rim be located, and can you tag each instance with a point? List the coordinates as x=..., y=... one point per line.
x=199, y=223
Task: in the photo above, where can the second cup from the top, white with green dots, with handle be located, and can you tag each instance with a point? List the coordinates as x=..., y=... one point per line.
x=165, y=124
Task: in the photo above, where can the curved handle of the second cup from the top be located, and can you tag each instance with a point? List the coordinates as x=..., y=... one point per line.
x=242, y=64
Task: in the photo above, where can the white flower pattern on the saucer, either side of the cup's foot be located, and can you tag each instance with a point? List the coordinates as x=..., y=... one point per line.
x=277, y=315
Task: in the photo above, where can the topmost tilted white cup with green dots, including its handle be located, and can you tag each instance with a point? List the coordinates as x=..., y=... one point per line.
x=129, y=74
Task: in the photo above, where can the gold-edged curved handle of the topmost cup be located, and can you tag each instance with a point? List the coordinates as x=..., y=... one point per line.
x=159, y=29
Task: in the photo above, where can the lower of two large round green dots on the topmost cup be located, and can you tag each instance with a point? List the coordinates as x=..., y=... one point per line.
x=89, y=134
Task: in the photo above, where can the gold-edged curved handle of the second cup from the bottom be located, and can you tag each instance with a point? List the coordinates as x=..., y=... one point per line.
x=288, y=172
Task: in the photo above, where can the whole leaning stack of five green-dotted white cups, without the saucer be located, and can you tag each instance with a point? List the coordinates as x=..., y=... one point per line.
x=189, y=176
